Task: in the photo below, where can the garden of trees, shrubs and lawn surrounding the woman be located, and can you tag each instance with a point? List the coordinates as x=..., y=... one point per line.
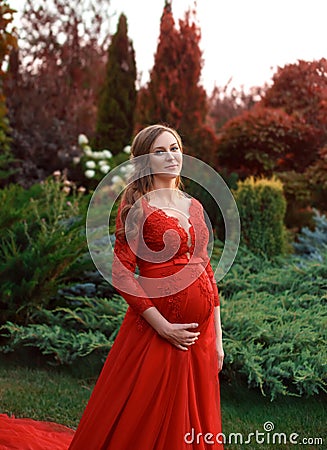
x=58, y=316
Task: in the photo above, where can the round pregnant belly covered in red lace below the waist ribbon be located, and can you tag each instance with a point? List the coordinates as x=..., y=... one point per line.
x=193, y=303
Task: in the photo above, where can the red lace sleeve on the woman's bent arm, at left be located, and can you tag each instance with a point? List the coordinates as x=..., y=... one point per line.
x=123, y=273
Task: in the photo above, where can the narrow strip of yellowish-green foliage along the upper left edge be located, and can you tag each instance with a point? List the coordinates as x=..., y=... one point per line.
x=8, y=42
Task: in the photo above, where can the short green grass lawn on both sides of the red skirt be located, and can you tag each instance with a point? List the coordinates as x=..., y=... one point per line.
x=60, y=395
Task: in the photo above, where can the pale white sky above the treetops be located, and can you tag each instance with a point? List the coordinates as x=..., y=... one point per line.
x=241, y=40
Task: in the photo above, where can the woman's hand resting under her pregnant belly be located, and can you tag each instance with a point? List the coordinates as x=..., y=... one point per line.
x=178, y=335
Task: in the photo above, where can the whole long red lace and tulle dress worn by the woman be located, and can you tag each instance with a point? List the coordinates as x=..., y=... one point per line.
x=150, y=395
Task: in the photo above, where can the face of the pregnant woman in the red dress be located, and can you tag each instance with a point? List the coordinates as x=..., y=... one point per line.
x=166, y=156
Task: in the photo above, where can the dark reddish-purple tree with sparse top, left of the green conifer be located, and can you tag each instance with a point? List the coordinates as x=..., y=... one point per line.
x=53, y=89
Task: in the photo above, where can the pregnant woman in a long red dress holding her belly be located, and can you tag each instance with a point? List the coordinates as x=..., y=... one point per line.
x=159, y=388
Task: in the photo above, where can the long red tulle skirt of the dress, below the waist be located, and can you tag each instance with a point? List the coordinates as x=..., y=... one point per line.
x=151, y=395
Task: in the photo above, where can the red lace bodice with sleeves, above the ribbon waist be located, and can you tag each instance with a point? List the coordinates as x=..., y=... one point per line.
x=165, y=239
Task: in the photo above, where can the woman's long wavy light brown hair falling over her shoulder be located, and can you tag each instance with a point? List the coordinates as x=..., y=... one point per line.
x=141, y=181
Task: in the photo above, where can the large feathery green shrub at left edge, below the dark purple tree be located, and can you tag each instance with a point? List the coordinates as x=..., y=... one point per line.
x=41, y=245
